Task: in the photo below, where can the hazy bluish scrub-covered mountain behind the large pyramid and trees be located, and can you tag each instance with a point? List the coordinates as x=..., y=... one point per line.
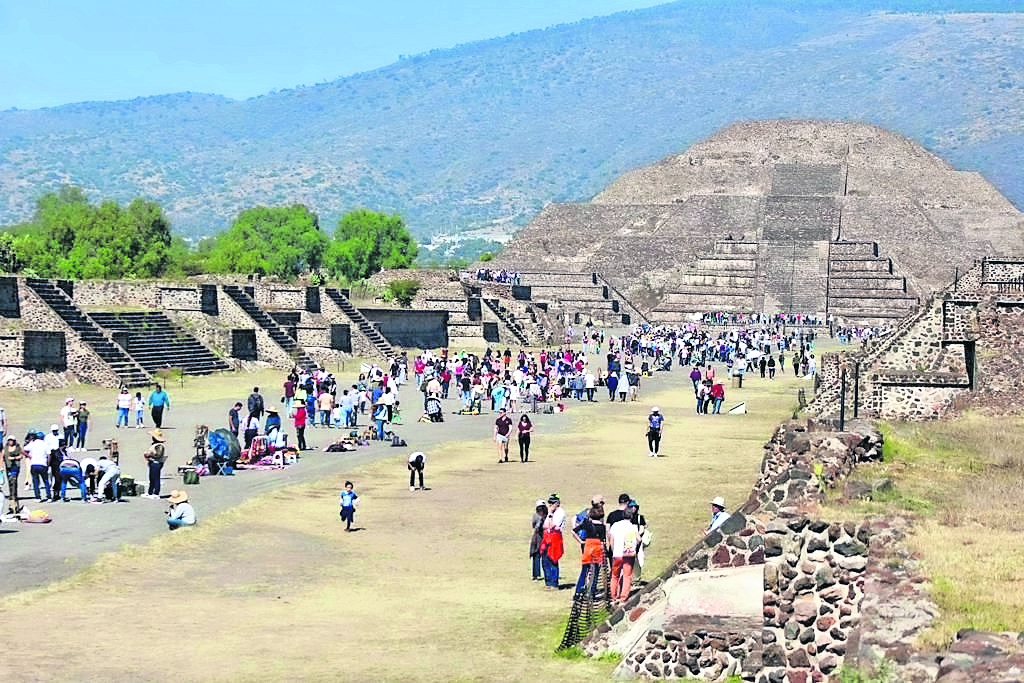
x=486, y=135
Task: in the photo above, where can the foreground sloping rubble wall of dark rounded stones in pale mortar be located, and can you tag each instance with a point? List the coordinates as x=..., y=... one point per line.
x=814, y=576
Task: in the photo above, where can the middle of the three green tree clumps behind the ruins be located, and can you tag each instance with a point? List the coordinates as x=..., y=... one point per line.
x=285, y=242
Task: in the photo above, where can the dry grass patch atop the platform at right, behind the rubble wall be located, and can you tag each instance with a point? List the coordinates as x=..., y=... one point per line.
x=964, y=480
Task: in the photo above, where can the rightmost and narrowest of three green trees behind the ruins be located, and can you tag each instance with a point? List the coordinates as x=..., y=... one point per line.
x=366, y=242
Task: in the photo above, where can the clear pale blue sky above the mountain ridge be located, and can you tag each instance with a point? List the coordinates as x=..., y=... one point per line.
x=60, y=52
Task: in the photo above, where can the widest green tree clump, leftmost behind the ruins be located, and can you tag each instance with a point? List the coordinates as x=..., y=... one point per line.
x=71, y=238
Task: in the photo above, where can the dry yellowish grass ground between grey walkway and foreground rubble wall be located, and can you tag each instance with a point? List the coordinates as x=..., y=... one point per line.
x=436, y=588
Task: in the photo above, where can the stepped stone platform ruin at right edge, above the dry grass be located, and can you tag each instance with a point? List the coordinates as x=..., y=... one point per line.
x=920, y=372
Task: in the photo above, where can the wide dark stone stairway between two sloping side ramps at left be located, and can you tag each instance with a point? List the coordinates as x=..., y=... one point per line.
x=156, y=344
